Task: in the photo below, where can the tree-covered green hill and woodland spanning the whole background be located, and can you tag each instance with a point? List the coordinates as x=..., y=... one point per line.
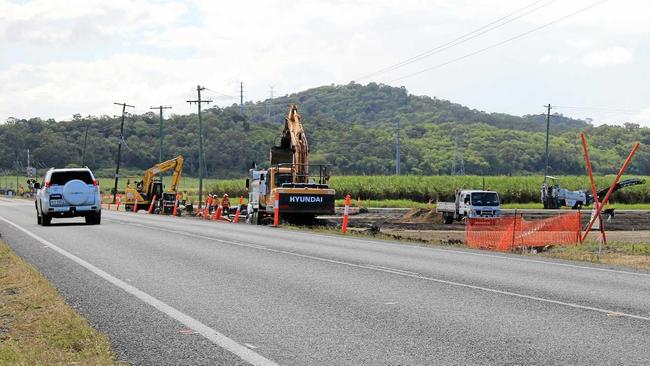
x=352, y=127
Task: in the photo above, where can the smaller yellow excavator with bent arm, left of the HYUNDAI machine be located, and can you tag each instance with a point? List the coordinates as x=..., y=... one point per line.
x=151, y=185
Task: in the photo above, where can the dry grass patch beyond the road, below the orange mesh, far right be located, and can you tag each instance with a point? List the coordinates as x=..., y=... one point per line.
x=633, y=255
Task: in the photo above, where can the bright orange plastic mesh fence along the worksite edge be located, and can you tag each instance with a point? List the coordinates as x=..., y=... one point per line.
x=514, y=232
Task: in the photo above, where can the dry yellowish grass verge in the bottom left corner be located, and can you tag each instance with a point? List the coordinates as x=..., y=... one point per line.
x=37, y=327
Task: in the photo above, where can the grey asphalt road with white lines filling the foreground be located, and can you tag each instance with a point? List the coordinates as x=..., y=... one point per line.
x=179, y=291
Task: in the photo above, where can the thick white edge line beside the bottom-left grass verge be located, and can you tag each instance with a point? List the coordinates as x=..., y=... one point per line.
x=207, y=332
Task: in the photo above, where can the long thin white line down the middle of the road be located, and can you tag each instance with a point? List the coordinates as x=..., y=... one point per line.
x=418, y=276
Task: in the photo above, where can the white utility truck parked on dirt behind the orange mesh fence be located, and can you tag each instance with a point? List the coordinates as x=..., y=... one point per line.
x=470, y=203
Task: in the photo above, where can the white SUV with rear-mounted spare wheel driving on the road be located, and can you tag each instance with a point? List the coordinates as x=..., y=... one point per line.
x=68, y=193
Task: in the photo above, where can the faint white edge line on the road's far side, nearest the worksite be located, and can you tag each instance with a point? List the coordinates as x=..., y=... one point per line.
x=462, y=252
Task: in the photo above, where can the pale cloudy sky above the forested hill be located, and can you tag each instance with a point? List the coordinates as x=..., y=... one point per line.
x=60, y=58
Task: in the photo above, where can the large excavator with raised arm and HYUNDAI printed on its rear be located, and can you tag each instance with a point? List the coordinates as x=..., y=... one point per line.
x=302, y=194
